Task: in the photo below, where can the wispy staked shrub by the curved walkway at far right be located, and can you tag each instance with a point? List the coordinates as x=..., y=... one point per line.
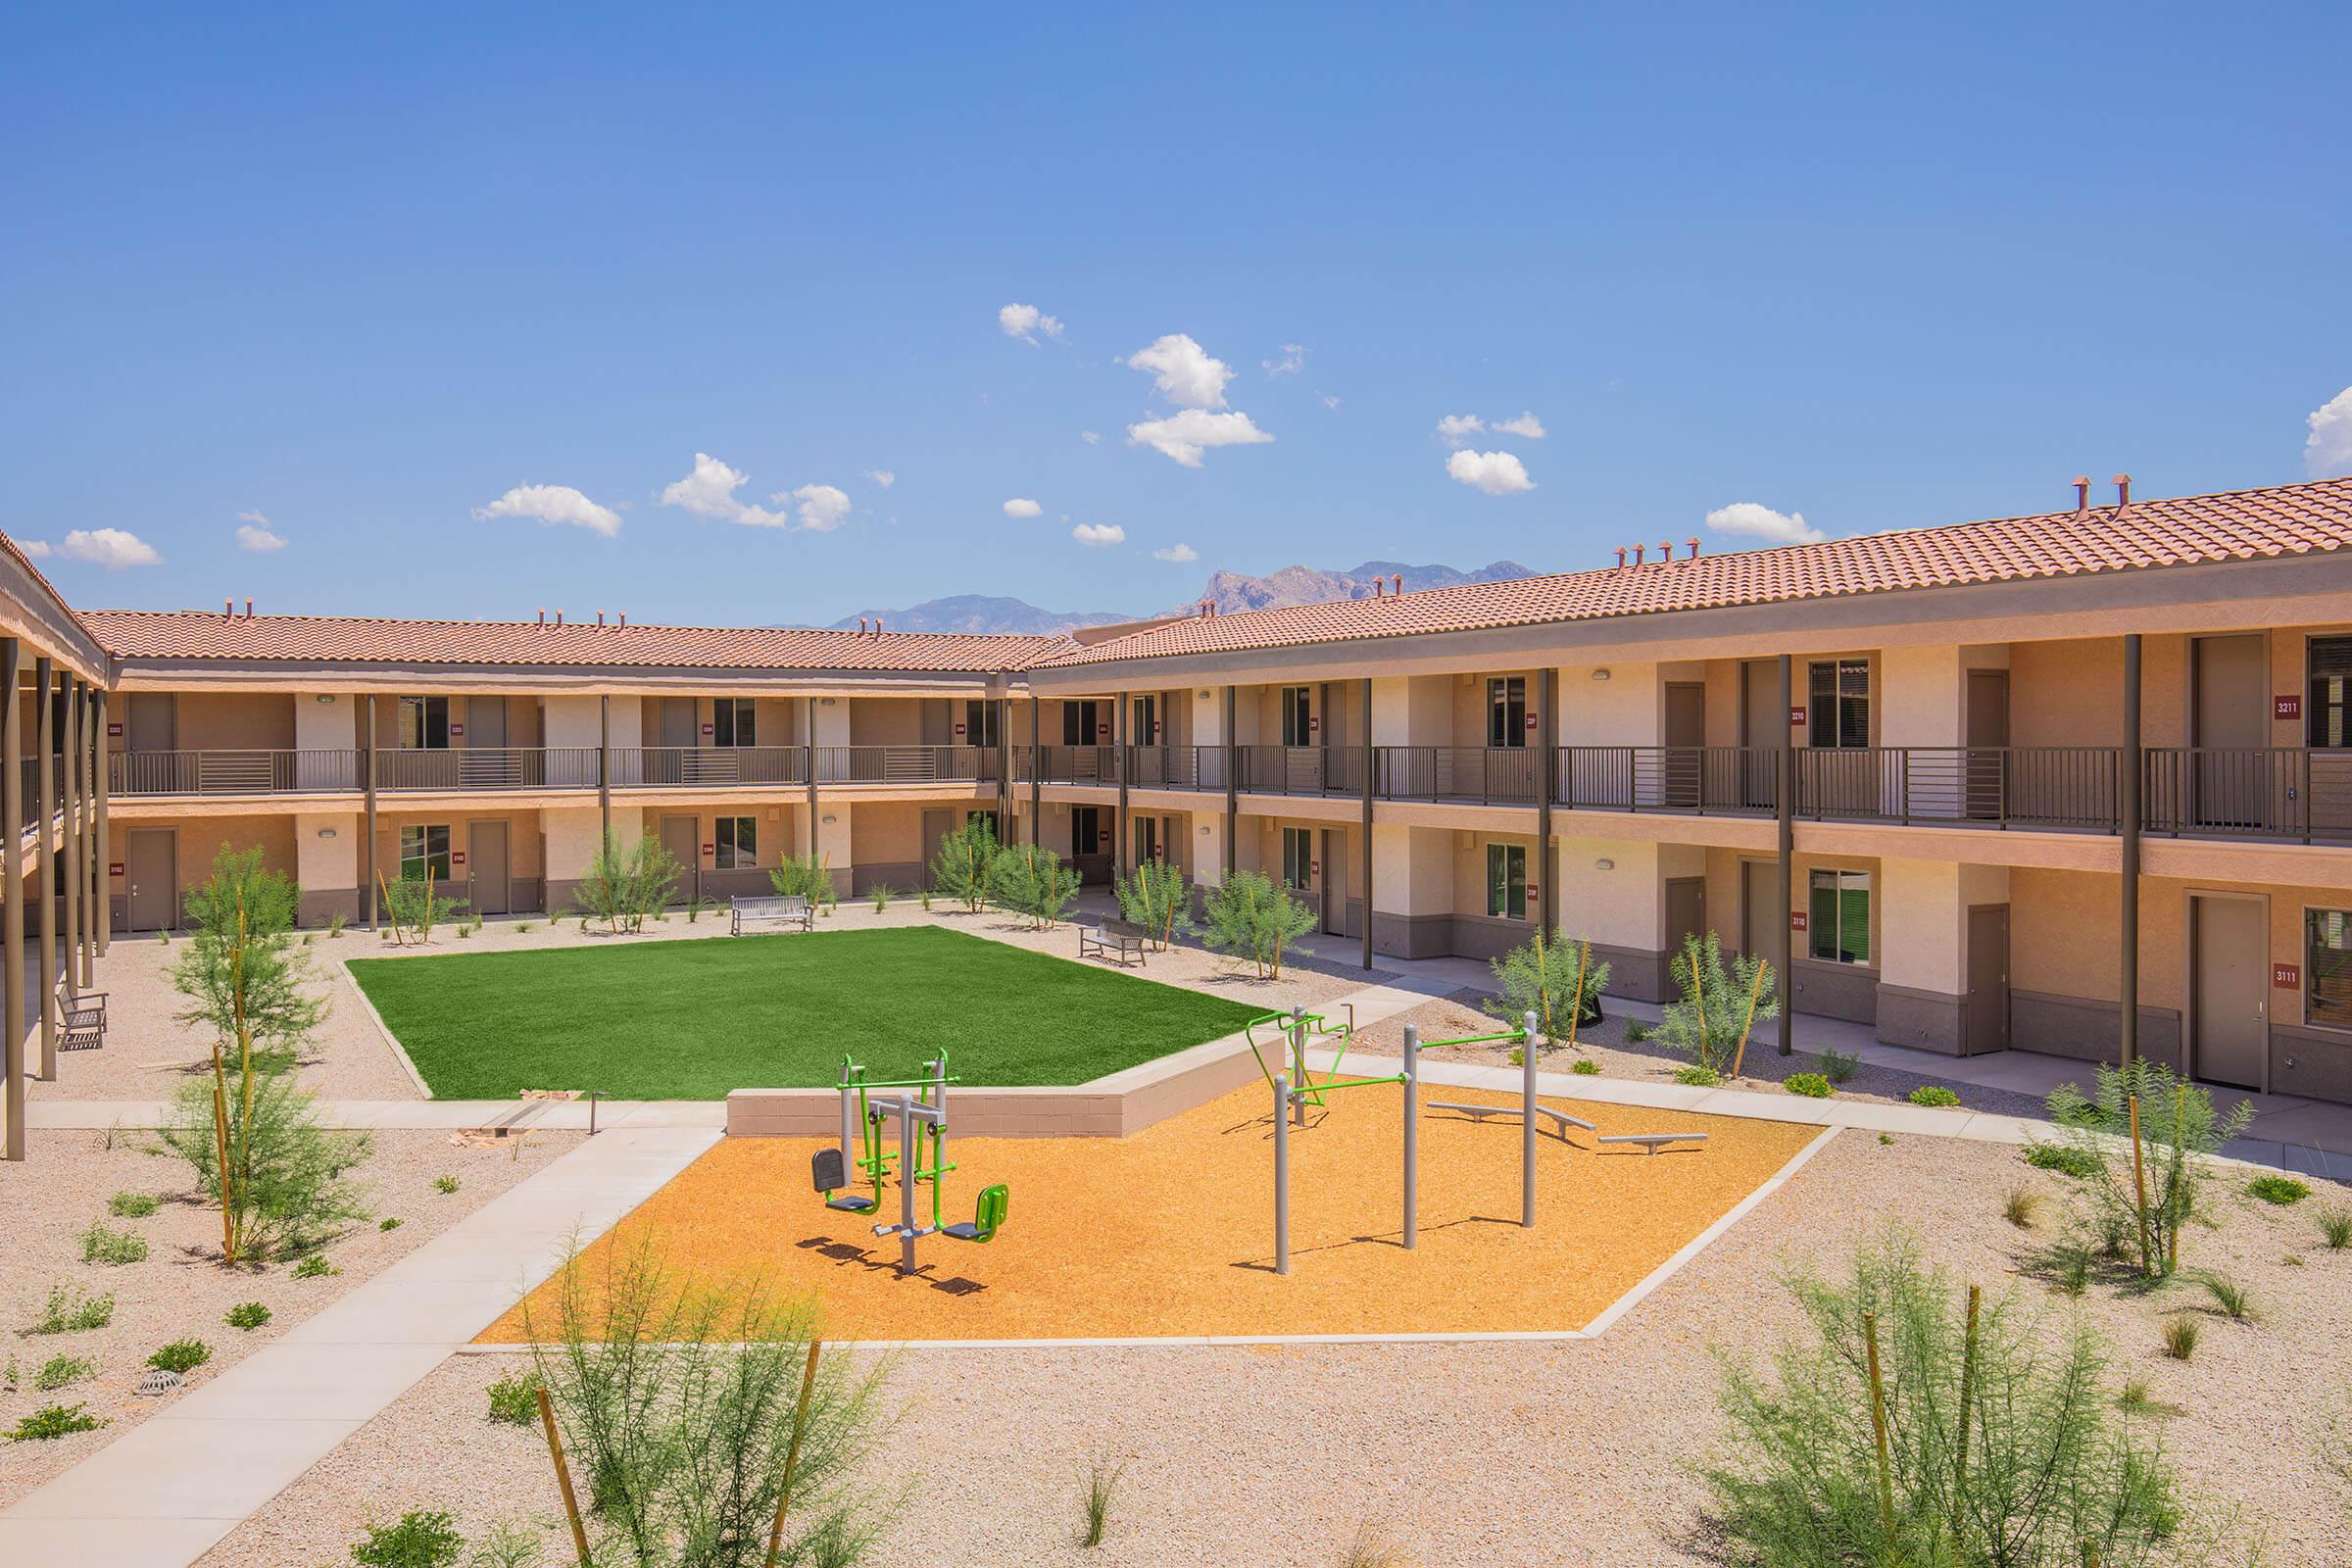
x=2156, y=1174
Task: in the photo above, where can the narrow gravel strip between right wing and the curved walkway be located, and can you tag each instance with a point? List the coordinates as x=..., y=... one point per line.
x=1652, y=1061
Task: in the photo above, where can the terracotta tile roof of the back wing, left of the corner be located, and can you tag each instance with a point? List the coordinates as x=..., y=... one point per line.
x=196, y=634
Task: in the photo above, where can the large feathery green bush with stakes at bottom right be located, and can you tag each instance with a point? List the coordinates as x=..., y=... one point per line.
x=2054, y=1475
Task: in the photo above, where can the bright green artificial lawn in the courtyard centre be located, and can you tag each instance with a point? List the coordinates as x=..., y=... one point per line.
x=695, y=1019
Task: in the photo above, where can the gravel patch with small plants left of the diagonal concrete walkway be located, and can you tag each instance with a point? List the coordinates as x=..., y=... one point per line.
x=180, y=1289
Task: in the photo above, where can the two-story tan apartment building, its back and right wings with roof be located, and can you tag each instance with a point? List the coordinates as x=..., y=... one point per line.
x=2076, y=782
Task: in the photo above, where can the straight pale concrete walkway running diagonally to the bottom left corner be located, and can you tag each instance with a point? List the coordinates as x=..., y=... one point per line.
x=171, y=1489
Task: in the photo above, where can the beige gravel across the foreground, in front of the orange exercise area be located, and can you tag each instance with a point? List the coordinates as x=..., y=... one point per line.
x=1459, y=1454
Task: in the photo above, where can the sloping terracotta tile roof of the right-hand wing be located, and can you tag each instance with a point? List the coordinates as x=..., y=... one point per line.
x=2177, y=532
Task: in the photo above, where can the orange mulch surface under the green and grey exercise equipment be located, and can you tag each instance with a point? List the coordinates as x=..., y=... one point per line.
x=1170, y=1233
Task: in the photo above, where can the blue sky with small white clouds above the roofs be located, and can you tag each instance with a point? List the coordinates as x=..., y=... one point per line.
x=366, y=276
